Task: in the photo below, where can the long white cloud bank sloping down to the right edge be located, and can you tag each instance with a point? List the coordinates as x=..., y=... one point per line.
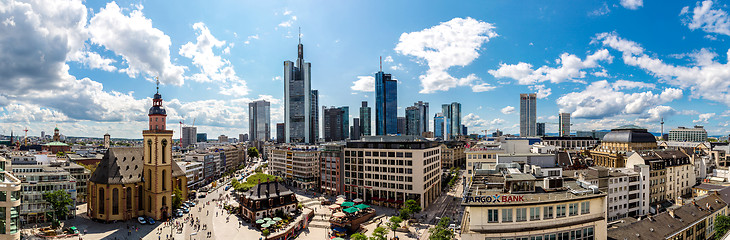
x=705, y=79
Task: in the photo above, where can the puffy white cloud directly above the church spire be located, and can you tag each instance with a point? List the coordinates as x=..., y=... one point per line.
x=145, y=49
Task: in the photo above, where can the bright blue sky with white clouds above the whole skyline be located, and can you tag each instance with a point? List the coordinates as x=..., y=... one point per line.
x=89, y=67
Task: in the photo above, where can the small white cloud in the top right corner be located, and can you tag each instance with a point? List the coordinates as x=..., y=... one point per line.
x=704, y=17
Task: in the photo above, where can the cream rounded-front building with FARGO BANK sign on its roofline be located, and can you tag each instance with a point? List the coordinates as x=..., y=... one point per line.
x=506, y=203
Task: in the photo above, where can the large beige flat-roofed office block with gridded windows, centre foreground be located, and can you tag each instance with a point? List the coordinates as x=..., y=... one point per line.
x=389, y=170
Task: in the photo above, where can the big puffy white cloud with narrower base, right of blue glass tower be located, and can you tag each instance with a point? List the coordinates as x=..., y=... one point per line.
x=449, y=44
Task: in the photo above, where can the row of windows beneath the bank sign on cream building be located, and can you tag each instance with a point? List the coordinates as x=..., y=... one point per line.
x=548, y=212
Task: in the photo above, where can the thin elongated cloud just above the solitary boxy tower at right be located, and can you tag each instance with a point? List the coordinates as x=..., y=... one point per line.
x=570, y=69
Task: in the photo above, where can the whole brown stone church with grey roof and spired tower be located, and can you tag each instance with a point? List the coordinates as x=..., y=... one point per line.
x=138, y=181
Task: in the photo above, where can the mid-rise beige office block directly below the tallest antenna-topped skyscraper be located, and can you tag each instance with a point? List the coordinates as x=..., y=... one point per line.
x=298, y=166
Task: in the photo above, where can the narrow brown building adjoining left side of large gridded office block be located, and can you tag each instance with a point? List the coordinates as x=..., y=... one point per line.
x=331, y=169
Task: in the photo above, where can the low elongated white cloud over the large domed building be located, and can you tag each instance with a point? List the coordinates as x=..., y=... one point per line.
x=603, y=99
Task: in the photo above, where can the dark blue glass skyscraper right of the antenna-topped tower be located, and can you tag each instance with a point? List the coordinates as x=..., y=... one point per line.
x=386, y=104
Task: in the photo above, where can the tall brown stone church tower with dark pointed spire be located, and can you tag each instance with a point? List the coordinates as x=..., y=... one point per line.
x=157, y=170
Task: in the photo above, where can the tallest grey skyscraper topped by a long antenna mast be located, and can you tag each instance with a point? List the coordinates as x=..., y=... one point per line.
x=298, y=99
